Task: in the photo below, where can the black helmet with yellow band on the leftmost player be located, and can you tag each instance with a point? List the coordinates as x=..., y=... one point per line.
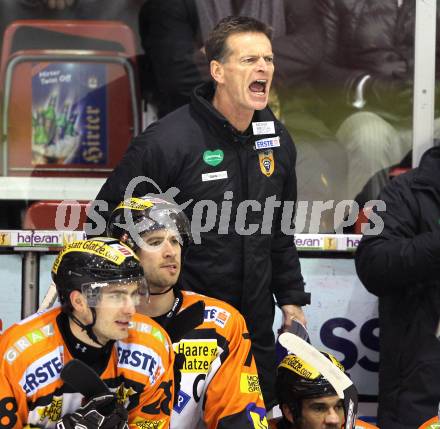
x=90, y=265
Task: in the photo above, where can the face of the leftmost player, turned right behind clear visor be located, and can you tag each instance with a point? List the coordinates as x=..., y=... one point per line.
x=115, y=310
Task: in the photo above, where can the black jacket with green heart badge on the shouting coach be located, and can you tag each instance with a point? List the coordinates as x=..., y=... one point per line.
x=230, y=264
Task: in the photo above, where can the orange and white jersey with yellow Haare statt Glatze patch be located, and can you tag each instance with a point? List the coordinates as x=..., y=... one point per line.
x=219, y=382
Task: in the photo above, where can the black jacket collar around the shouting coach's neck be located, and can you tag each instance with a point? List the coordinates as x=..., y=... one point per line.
x=201, y=102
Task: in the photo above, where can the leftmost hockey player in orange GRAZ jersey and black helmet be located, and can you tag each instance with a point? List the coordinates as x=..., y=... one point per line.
x=99, y=282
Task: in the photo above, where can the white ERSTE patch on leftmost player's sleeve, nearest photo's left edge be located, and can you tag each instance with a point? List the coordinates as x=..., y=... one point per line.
x=42, y=372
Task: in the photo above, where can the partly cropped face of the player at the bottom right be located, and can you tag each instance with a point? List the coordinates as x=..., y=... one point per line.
x=322, y=413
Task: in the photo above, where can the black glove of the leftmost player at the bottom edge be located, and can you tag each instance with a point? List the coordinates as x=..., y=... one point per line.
x=102, y=412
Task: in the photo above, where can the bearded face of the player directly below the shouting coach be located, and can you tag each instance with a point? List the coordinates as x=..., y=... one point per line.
x=160, y=259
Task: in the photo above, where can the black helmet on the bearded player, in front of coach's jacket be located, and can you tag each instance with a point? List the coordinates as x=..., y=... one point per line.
x=136, y=216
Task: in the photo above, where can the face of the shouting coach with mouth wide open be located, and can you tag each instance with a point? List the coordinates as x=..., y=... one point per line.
x=246, y=73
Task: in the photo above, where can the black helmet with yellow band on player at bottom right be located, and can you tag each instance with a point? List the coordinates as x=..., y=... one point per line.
x=297, y=380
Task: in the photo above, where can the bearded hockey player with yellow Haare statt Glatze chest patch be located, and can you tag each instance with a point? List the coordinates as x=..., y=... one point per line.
x=219, y=385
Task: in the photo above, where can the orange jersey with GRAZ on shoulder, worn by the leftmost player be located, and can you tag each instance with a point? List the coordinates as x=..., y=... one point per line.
x=32, y=394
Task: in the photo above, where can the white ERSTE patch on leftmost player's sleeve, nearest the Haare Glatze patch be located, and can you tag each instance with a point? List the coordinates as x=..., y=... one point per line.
x=141, y=359
